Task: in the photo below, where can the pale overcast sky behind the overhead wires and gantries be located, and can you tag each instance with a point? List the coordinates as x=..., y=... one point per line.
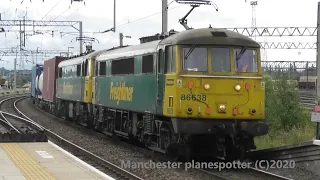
x=97, y=15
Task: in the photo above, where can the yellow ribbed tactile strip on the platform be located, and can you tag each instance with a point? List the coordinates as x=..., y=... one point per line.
x=30, y=168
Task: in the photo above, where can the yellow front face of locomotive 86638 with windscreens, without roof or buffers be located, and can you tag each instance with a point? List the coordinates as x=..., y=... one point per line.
x=219, y=83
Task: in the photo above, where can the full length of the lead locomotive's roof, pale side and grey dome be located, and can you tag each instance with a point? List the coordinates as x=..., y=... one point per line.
x=205, y=36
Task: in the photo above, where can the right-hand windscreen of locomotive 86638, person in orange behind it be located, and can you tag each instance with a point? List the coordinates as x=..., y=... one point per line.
x=246, y=60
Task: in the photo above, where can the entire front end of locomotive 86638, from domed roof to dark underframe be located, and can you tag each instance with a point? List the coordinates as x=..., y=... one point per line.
x=217, y=87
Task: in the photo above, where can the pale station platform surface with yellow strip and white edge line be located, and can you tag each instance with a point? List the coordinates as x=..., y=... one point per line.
x=43, y=161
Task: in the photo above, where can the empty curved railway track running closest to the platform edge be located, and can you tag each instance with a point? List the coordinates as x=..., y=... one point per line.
x=92, y=159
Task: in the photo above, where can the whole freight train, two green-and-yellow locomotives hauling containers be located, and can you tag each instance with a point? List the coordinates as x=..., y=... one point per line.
x=195, y=92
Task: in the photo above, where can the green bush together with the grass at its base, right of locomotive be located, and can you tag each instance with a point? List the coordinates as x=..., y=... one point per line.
x=289, y=122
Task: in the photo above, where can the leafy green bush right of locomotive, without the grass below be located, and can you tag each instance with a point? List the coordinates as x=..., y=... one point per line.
x=283, y=109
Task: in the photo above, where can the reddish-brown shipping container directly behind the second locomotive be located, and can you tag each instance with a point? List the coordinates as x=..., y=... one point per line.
x=50, y=74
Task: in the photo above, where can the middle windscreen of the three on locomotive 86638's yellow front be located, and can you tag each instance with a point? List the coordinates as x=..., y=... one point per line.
x=220, y=58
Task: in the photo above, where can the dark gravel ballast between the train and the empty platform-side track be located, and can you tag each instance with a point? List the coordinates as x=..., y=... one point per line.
x=107, y=148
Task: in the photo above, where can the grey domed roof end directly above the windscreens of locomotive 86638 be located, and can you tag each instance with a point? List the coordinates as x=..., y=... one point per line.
x=210, y=36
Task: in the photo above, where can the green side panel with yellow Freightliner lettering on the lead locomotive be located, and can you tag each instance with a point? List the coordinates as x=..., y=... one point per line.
x=134, y=92
